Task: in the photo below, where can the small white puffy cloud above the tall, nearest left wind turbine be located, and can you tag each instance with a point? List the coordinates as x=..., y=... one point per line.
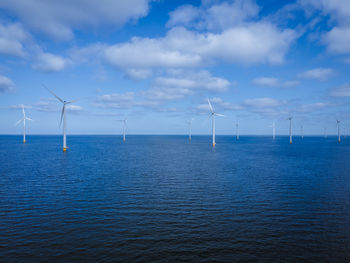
x=48, y=62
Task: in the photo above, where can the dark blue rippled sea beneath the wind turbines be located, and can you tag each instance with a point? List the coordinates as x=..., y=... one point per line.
x=161, y=199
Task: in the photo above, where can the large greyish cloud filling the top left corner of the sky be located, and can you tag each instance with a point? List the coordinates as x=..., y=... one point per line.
x=60, y=18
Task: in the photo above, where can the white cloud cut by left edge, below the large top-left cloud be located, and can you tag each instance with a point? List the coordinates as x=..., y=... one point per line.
x=11, y=38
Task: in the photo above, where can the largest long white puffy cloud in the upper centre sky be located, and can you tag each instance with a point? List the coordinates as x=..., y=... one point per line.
x=253, y=43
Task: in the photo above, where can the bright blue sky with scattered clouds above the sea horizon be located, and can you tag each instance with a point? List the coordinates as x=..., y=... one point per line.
x=156, y=63
